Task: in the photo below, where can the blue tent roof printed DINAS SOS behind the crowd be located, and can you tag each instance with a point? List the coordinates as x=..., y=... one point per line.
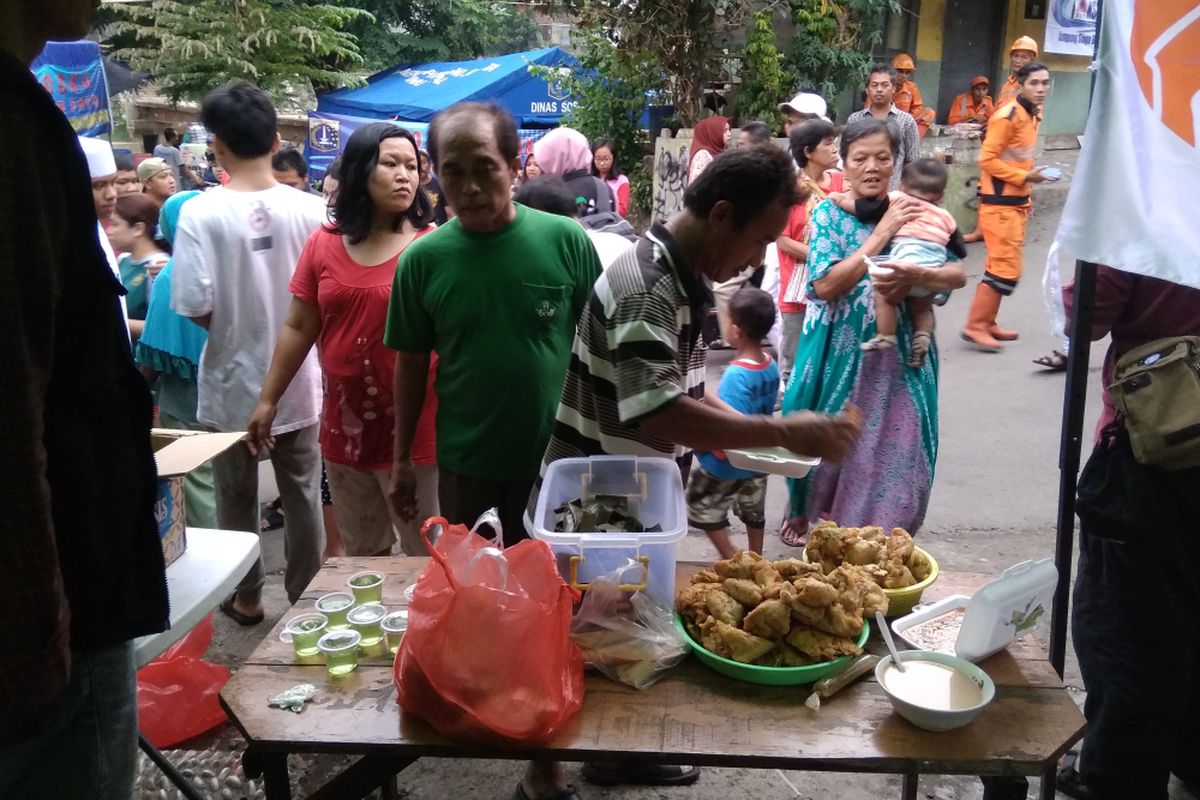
x=419, y=93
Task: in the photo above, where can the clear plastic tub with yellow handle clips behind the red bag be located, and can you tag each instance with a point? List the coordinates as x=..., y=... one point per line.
x=656, y=497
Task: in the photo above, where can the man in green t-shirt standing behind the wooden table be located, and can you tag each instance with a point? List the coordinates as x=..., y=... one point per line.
x=496, y=293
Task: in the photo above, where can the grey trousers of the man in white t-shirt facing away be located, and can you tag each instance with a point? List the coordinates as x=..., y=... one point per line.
x=296, y=460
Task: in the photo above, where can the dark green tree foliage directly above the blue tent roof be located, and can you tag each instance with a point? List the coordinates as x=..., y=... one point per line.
x=416, y=32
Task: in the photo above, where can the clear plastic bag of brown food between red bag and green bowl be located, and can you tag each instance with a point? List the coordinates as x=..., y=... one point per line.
x=629, y=639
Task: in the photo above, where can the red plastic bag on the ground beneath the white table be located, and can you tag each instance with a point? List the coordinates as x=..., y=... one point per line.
x=178, y=691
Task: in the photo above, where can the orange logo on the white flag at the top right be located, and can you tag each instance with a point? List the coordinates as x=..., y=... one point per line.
x=1166, y=52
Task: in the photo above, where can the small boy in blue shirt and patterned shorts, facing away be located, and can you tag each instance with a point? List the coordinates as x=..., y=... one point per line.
x=749, y=387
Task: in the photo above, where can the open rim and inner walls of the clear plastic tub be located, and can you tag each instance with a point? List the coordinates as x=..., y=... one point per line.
x=653, y=486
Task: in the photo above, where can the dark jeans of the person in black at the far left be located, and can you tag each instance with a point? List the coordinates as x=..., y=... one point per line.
x=88, y=745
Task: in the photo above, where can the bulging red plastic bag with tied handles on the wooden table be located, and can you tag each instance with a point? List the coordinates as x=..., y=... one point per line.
x=488, y=657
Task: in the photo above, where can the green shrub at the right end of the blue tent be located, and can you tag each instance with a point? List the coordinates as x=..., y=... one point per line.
x=611, y=89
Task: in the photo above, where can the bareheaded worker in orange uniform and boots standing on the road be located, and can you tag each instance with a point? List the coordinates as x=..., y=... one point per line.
x=1007, y=175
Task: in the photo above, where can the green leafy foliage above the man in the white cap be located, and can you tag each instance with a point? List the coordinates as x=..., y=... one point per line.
x=831, y=51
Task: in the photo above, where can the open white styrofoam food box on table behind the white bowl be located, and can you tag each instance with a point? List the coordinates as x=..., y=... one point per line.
x=1003, y=611
